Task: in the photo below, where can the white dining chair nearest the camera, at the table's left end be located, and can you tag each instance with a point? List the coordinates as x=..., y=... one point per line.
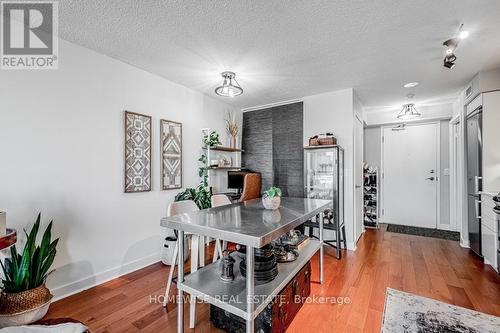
x=175, y=208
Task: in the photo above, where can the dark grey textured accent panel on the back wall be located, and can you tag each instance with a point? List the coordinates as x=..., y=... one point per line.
x=272, y=140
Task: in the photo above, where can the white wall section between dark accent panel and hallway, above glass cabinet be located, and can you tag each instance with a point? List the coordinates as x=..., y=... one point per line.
x=333, y=112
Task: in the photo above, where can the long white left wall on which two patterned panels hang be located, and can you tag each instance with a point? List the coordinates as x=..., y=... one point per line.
x=61, y=138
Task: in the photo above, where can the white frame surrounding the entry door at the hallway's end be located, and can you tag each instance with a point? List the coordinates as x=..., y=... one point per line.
x=438, y=171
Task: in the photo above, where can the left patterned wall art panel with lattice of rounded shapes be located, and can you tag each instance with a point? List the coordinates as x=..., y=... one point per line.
x=137, y=152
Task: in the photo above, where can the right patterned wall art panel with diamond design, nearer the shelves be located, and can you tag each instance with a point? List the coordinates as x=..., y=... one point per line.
x=171, y=151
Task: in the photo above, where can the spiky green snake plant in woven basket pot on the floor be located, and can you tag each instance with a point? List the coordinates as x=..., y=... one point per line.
x=25, y=298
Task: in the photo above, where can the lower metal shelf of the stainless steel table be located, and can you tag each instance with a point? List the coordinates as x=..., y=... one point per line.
x=231, y=296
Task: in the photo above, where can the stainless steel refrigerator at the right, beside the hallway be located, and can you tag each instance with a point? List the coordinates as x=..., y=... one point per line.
x=474, y=177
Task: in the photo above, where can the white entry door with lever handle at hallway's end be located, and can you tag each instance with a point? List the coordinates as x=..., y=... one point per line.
x=410, y=175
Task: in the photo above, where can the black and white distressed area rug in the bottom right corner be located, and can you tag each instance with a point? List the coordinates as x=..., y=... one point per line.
x=407, y=313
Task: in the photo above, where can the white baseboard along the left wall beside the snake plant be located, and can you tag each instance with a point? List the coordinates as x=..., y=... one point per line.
x=102, y=277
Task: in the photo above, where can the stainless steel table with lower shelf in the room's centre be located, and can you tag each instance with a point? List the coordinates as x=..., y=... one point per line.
x=246, y=223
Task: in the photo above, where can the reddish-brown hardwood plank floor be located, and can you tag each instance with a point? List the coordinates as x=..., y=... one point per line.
x=429, y=267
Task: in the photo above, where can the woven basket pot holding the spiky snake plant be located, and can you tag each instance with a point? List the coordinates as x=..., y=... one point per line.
x=24, y=307
